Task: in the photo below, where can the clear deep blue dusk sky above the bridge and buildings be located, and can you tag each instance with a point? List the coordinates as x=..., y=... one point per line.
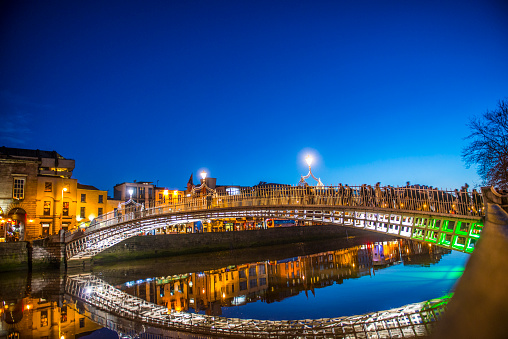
x=157, y=90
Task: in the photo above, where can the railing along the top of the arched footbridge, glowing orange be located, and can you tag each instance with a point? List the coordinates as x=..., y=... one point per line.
x=401, y=198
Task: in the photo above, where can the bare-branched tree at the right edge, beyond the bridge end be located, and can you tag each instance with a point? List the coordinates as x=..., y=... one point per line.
x=488, y=147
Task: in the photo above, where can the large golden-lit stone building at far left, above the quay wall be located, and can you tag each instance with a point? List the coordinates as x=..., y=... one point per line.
x=30, y=183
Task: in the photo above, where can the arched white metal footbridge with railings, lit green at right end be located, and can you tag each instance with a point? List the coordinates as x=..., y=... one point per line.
x=451, y=219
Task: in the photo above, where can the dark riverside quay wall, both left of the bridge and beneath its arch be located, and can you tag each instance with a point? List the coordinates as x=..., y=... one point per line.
x=48, y=253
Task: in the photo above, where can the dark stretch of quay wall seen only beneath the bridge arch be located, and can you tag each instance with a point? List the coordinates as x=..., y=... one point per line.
x=176, y=244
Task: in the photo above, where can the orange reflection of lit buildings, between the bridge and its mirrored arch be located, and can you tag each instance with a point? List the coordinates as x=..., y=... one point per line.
x=270, y=281
